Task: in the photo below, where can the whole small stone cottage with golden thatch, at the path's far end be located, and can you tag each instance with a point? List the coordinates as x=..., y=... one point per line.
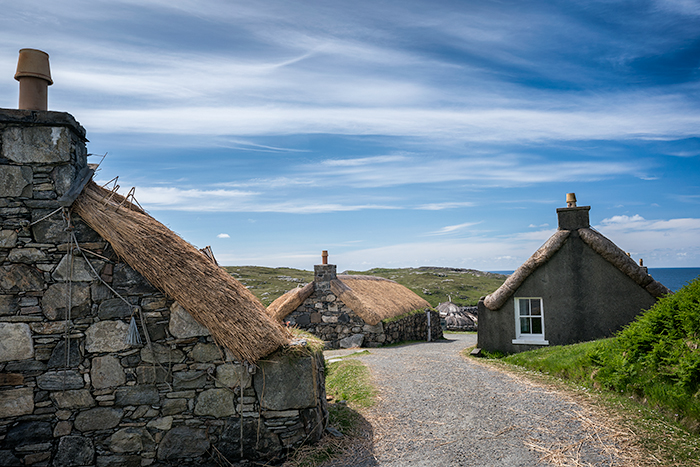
x=356, y=311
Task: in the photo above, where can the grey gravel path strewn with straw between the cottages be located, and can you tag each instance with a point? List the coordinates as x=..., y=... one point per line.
x=438, y=409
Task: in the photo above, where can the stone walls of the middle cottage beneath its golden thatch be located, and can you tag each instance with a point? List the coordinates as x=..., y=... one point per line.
x=325, y=316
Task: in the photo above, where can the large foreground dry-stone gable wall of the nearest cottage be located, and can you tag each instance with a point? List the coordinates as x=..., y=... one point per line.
x=72, y=390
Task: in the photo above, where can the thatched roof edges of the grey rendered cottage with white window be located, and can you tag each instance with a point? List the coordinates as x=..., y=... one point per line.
x=601, y=245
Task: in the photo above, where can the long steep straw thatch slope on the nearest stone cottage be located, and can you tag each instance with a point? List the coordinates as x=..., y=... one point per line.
x=233, y=315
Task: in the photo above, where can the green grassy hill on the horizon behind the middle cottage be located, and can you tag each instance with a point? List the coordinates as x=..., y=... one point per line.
x=434, y=284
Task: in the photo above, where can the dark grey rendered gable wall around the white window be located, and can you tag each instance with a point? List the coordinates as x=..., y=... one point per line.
x=584, y=298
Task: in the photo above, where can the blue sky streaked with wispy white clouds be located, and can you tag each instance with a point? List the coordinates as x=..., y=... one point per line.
x=391, y=133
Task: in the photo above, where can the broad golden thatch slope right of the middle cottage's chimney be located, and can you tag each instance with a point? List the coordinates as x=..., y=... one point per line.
x=375, y=298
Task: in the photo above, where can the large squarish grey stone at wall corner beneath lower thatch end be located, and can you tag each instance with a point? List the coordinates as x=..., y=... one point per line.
x=289, y=383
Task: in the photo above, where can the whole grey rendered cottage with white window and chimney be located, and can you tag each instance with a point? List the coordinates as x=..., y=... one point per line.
x=578, y=286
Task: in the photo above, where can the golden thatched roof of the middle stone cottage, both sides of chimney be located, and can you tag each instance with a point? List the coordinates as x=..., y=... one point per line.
x=371, y=298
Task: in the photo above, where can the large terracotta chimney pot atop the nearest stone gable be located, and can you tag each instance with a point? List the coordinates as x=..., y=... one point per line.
x=34, y=76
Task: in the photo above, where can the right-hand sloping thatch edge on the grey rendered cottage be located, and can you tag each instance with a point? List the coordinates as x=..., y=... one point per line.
x=615, y=256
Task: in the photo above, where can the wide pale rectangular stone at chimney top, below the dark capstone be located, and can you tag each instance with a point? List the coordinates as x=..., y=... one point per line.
x=37, y=145
